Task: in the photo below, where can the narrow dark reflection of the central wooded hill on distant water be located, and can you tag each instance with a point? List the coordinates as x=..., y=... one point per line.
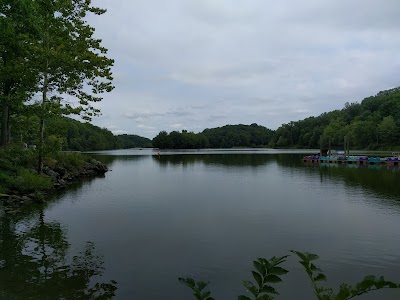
x=234, y=160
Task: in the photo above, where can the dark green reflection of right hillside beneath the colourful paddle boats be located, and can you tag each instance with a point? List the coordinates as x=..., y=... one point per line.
x=381, y=180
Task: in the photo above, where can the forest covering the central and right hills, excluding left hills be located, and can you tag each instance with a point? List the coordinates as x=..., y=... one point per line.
x=371, y=124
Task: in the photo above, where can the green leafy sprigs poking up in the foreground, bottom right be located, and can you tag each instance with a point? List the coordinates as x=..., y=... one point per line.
x=267, y=272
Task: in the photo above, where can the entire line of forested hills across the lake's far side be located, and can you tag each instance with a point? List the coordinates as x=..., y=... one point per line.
x=372, y=124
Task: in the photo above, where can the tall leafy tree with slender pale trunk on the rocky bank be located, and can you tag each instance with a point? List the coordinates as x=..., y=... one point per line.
x=70, y=61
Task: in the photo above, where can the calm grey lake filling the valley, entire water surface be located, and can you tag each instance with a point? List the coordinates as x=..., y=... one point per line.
x=205, y=214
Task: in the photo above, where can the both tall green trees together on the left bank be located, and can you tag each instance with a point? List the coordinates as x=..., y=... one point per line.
x=50, y=65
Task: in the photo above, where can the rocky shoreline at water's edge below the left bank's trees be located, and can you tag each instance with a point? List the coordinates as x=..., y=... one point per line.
x=13, y=202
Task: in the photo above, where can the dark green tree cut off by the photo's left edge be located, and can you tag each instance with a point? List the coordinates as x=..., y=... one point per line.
x=16, y=78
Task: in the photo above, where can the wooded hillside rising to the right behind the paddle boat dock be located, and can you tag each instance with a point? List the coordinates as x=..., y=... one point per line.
x=372, y=124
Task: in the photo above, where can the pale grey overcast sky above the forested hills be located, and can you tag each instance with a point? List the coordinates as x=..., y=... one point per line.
x=196, y=64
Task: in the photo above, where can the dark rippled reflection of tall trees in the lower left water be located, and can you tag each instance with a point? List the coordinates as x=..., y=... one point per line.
x=35, y=263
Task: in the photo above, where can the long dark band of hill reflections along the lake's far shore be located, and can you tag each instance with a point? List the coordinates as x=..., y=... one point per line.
x=377, y=179
